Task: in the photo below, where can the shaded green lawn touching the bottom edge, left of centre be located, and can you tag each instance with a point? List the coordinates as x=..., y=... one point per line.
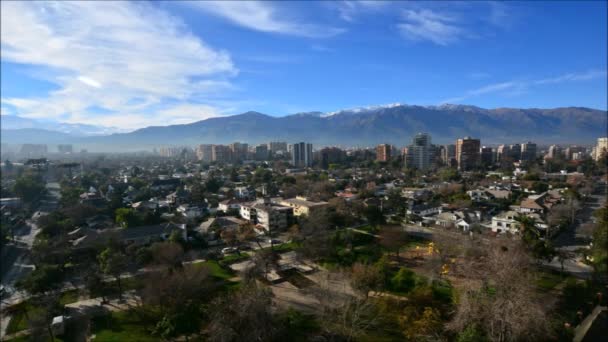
x=120, y=326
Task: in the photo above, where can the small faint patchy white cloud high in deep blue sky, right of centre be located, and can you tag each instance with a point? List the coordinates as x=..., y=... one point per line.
x=425, y=24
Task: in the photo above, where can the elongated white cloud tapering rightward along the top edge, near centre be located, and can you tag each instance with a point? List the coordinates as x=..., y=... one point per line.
x=265, y=17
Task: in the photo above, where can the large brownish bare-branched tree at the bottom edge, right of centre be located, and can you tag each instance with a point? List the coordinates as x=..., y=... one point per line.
x=500, y=295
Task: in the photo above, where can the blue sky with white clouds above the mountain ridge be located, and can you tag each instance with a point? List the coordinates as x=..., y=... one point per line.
x=137, y=64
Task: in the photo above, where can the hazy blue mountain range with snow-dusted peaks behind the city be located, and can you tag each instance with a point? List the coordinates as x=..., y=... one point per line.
x=395, y=124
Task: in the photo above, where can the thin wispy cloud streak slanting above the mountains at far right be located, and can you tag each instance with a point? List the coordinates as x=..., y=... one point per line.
x=516, y=88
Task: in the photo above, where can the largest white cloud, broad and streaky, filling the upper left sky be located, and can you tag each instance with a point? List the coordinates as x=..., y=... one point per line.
x=131, y=57
